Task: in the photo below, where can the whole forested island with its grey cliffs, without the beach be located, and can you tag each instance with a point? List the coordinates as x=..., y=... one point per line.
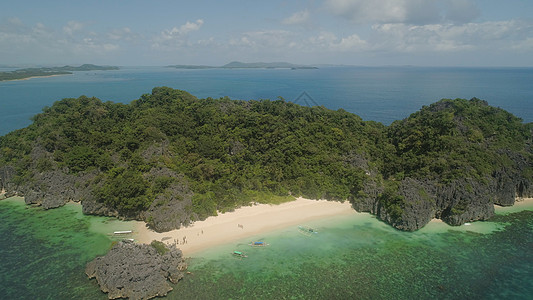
x=169, y=158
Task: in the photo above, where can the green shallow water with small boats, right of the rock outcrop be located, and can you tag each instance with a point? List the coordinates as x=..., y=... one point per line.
x=363, y=258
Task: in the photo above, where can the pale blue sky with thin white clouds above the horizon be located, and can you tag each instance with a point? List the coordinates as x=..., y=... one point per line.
x=355, y=32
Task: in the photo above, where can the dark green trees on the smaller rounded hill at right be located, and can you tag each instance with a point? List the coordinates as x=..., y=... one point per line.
x=454, y=139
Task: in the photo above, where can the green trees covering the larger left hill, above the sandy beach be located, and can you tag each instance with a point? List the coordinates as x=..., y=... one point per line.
x=231, y=152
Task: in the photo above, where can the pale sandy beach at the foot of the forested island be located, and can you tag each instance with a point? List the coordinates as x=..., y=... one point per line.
x=244, y=222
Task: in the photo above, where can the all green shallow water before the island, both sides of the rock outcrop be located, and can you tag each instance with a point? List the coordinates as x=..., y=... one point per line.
x=44, y=254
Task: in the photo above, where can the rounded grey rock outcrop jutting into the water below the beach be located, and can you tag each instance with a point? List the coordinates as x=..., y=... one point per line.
x=137, y=271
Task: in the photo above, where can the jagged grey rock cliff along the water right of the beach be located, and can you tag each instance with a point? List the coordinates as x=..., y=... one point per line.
x=463, y=200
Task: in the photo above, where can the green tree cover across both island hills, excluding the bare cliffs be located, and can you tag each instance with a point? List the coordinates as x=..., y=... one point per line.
x=234, y=152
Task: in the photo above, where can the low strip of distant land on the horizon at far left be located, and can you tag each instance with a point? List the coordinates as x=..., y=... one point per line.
x=50, y=71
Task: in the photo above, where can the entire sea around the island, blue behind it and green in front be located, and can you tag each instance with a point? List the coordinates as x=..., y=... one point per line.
x=43, y=253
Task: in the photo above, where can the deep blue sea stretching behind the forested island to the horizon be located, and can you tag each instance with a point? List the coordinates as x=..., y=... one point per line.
x=380, y=94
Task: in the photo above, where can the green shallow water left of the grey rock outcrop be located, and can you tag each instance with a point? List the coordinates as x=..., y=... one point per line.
x=43, y=253
